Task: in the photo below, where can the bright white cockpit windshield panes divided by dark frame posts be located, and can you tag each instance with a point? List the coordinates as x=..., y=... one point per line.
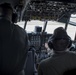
x=51, y=26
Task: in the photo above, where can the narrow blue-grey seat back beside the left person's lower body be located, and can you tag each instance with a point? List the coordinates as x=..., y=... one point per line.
x=29, y=67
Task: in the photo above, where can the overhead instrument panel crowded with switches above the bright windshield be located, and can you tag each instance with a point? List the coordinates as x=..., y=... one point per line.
x=48, y=10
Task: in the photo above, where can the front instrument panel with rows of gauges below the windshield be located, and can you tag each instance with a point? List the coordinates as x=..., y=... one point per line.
x=38, y=40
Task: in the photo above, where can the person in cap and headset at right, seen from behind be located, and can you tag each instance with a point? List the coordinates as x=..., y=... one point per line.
x=62, y=59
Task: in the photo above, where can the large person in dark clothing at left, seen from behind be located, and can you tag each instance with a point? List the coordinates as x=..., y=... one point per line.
x=13, y=43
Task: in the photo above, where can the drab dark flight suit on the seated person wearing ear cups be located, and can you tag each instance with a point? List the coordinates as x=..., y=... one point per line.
x=57, y=64
